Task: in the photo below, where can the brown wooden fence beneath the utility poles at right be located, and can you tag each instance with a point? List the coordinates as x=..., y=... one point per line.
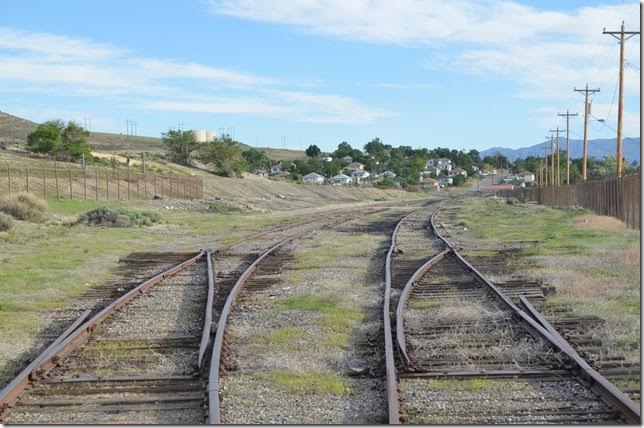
x=619, y=197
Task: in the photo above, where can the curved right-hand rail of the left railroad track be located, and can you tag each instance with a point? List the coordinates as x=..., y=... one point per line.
x=214, y=410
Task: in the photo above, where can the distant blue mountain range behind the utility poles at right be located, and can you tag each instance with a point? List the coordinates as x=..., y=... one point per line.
x=596, y=148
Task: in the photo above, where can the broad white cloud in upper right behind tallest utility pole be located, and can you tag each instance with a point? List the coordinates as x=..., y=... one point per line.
x=546, y=52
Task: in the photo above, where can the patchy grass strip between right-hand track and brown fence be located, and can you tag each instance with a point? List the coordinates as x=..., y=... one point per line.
x=593, y=261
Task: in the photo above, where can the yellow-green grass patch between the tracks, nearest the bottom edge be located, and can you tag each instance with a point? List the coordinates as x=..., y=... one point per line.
x=305, y=383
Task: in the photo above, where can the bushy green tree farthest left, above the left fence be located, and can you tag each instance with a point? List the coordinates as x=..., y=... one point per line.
x=67, y=142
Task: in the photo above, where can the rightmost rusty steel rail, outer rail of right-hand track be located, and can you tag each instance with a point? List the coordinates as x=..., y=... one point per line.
x=538, y=326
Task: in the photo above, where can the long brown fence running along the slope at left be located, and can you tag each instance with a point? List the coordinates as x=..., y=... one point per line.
x=97, y=183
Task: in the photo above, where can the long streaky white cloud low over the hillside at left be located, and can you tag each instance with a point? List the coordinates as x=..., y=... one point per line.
x=61, y=65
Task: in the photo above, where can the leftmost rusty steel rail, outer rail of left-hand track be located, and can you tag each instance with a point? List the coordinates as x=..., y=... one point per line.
x=50, y=358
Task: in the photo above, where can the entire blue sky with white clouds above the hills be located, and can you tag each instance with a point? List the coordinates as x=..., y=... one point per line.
x=455, y=74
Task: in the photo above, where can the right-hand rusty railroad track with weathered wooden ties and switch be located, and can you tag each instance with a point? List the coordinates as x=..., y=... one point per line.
x=460, y=351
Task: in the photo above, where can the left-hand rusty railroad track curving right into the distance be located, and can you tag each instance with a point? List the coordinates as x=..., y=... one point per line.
x=143, y=358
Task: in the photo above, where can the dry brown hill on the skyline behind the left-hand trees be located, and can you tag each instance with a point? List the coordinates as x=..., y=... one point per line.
x=14, y=130
